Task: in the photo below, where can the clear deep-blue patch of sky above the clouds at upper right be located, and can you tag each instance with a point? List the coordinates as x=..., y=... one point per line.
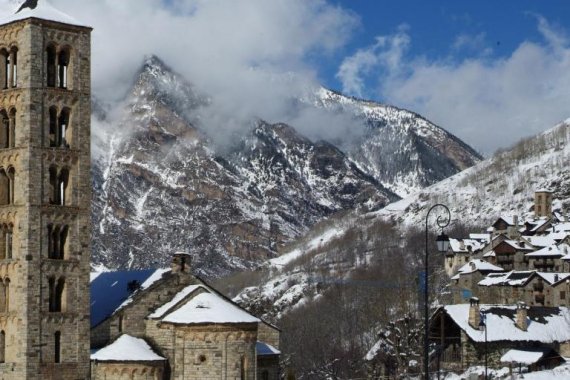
x=435, y=26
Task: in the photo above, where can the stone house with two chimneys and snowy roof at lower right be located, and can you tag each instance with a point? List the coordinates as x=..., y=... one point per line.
x=463, y=335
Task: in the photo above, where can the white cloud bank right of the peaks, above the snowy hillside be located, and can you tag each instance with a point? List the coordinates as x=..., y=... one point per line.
x=487, y=102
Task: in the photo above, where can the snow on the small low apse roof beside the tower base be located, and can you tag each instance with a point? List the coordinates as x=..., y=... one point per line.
x=127, y=348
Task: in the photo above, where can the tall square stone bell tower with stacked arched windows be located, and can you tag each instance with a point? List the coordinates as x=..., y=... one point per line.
x=45, y=194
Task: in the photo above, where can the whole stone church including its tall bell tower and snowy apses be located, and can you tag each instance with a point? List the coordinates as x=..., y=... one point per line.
x=165, y=324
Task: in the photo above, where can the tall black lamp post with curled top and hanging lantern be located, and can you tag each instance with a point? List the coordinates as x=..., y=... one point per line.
x=442, y=246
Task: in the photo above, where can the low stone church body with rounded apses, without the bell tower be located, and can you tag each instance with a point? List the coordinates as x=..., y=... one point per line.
x=170, y=324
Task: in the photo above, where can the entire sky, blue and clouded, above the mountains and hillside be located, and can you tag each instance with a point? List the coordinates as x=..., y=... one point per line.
x=491, y=72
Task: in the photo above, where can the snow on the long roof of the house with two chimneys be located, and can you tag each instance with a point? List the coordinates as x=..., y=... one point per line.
x=545, y=324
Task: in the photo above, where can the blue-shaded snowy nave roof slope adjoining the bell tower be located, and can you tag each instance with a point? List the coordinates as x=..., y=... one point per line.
x=110, y=291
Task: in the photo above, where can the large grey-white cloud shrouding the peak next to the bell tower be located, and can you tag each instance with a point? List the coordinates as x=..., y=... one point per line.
x=242, y=53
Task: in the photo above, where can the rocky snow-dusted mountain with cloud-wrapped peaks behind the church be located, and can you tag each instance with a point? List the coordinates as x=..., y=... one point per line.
x=161, y=185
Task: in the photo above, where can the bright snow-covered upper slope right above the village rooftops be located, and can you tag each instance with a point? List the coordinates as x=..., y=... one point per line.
x=503, y=184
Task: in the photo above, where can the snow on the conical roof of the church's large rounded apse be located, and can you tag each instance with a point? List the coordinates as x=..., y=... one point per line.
x=209, y=308
